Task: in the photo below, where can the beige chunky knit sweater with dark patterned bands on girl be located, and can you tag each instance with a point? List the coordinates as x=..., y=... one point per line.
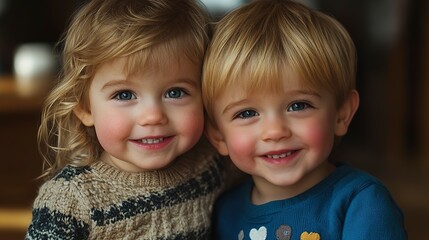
x=101, y=202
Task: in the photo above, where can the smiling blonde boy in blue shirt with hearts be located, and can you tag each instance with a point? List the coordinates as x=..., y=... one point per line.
x=279, y=88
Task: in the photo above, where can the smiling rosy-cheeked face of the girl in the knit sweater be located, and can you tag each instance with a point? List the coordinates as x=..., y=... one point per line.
x=144, y=121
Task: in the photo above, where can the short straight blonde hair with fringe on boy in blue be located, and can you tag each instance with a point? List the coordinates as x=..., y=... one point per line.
x=254, y=43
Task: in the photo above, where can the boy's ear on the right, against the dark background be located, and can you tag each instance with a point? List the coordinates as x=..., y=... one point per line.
x=346, y=112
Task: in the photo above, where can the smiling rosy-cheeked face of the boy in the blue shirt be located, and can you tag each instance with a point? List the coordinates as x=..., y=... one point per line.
x=282, y=139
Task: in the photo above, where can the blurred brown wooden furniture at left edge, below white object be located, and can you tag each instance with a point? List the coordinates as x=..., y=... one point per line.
x=21, y=163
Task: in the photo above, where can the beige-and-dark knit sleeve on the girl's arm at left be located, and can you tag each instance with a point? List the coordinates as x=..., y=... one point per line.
x=59, y=212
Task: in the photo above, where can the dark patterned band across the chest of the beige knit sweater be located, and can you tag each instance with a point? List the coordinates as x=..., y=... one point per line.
x=203, y=185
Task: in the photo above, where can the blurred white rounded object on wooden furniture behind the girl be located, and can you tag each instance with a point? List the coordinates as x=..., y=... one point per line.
x=34, y=66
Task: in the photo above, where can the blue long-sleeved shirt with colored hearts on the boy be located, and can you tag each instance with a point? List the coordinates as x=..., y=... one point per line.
x=348, y=204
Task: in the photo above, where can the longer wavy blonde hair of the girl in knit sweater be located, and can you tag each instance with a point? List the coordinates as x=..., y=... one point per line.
x=147, y=32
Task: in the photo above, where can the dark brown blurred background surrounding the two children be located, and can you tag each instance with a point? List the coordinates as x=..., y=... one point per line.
x=388, y=138
